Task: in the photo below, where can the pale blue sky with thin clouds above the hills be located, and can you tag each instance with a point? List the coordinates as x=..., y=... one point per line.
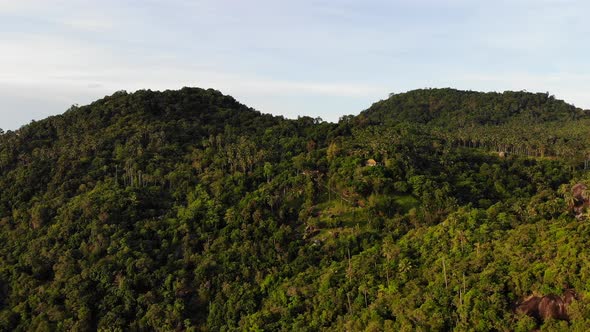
x=321, y=58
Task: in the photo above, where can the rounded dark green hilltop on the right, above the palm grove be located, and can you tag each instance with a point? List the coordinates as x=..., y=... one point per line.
x=450, y=108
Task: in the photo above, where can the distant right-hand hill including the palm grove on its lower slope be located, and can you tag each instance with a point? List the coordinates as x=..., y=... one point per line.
x=531, y=124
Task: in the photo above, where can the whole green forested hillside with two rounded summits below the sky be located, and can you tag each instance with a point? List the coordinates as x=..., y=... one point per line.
x=188, y=211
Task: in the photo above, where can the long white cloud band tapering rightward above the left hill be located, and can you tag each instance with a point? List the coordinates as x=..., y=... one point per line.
x=42, y=60
